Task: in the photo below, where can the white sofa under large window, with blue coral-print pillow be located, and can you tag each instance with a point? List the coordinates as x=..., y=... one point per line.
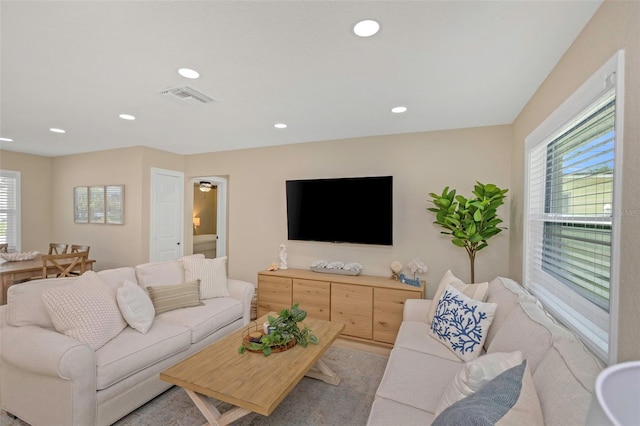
x=421, y=369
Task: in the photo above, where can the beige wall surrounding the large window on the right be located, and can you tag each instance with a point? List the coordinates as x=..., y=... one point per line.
x=614, y=26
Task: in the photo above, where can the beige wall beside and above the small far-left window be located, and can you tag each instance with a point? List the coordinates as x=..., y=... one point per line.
x=36, y=198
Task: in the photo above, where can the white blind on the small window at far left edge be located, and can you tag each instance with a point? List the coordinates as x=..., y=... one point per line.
x=10, y=208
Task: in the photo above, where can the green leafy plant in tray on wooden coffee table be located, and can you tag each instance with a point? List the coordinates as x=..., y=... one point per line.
x=287, y=327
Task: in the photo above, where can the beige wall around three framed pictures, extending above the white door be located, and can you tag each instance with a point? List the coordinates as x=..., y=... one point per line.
x=111, y=245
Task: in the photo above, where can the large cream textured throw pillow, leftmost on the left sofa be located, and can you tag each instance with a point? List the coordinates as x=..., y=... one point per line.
x=86, y=310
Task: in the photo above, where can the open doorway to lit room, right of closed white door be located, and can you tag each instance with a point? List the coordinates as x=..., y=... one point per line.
x=209, y=216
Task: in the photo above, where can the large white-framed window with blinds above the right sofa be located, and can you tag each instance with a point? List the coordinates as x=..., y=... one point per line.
x=570, y=241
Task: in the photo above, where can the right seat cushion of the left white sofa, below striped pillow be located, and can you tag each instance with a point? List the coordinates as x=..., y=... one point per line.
x=206, y=319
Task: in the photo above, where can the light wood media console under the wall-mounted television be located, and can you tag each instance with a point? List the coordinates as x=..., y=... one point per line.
x=370, y=307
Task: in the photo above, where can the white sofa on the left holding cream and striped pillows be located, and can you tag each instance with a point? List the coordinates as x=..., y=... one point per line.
x=48, y=378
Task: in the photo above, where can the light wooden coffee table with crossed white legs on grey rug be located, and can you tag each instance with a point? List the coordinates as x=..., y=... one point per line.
x=251, y=382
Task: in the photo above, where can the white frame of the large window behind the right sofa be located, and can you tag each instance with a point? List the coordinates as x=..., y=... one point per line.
x=611, y=74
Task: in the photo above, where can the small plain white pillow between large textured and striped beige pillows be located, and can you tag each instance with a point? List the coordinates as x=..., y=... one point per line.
x=135, y=306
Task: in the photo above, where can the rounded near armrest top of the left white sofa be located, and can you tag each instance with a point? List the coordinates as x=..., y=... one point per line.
x=48, y=353
